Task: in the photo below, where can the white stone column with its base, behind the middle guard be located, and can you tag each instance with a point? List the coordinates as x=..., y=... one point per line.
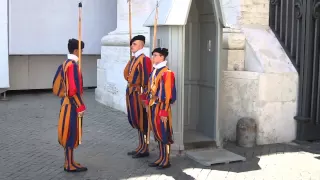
x=111, y=85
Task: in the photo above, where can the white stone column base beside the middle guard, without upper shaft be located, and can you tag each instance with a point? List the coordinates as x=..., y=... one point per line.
x=115, y=53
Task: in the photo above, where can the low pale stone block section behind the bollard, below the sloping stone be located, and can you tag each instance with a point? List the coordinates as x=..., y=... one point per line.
x=268, y=98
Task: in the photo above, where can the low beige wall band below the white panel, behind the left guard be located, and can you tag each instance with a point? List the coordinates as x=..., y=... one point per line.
x=37, y=71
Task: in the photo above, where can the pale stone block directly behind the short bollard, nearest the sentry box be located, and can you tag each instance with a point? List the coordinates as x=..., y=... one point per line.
x=240, y=92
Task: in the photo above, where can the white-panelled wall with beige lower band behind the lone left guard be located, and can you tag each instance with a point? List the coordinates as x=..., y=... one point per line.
x=34, y=38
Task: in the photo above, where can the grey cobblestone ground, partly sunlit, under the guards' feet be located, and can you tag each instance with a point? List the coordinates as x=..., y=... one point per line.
x=29, y=149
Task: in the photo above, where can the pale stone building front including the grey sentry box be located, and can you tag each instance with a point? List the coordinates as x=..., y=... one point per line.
x=228, y=62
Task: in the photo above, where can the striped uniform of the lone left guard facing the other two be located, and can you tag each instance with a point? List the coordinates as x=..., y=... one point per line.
x=71, y=104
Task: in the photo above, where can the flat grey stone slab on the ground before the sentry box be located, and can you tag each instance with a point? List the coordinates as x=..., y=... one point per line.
x=210, y=157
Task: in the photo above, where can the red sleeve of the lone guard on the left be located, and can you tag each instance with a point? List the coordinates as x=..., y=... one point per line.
x=75, y=86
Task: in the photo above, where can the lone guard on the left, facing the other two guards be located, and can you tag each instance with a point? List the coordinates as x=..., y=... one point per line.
x=68, y=84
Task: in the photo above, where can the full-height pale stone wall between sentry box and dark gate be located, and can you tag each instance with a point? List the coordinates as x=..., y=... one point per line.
x=260, y=80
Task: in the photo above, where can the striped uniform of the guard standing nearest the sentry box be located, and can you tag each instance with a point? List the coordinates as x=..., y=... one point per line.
x=161, y=94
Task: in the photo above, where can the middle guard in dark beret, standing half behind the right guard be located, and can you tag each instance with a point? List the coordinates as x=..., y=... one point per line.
x=136, y=73
